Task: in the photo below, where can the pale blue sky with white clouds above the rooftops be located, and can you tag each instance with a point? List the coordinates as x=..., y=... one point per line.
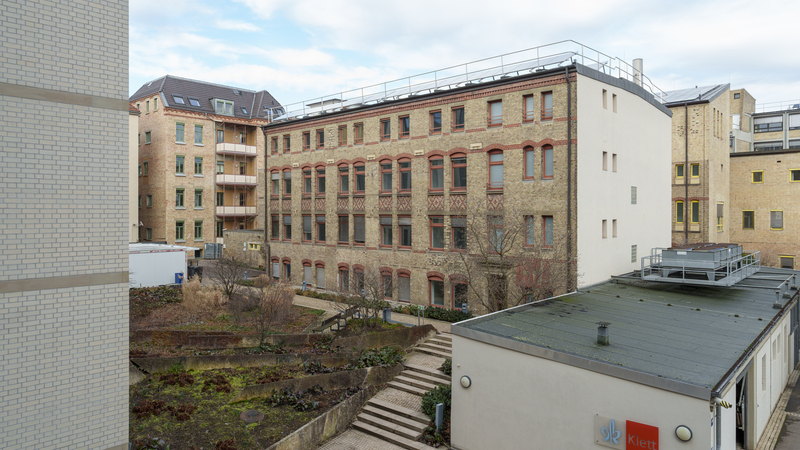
x=300, y=49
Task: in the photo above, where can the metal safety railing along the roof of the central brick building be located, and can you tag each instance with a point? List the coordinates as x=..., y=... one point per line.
x=504, y=66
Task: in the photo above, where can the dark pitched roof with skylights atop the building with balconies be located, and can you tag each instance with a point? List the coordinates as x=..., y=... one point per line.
x=254, y=102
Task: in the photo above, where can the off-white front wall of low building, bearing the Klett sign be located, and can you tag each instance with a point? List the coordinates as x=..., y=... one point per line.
x=520, y=401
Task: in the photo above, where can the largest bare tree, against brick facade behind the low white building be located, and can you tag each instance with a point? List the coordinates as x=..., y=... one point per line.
x=510, y=259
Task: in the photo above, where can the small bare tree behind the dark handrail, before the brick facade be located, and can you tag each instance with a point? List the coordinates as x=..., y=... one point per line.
x=365, y=290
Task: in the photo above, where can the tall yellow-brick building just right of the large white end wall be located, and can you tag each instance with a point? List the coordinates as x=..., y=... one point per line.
x=700, y=169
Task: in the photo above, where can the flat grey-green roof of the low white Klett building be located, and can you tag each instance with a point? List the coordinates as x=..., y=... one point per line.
x=677, y=337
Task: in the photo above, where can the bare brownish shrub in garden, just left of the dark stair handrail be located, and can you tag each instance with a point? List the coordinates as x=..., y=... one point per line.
x=273, y=305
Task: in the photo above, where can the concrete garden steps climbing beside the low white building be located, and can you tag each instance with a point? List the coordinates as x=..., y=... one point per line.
x=397, y=424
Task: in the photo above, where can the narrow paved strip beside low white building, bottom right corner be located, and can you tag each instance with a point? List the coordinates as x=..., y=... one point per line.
x=783, y=428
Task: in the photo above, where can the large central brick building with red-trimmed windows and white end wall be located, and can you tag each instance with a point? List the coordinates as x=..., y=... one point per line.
x=385, y=181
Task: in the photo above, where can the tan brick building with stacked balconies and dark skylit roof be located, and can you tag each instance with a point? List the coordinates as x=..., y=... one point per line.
x=199, y=160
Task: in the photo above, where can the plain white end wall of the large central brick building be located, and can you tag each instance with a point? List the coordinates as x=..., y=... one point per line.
x=640, y=136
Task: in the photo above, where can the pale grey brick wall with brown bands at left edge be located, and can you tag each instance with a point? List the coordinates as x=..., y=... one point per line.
x=64, y=124
